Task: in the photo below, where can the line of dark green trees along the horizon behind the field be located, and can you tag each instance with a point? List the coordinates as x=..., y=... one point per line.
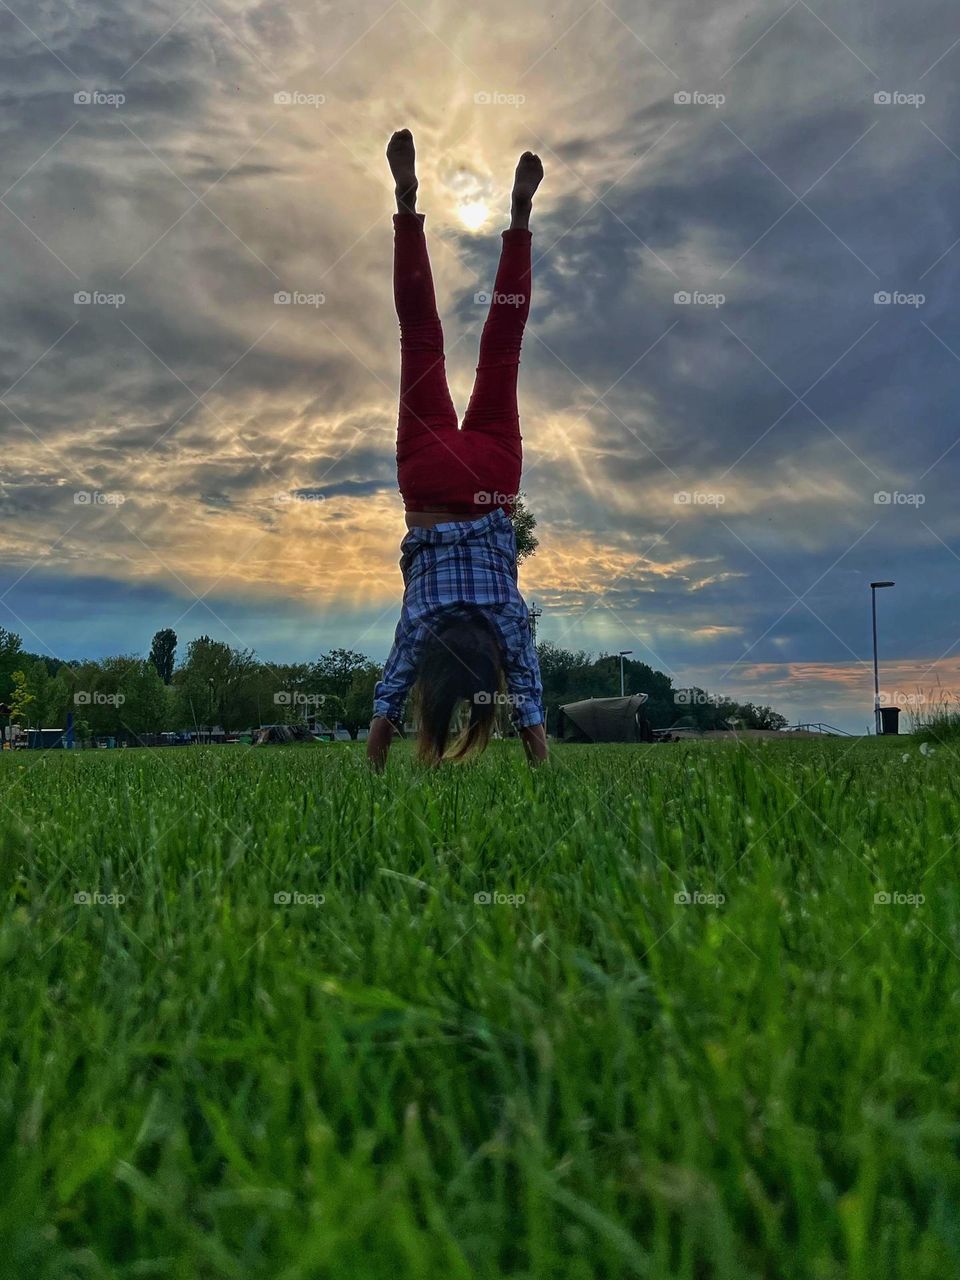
x=217, y=685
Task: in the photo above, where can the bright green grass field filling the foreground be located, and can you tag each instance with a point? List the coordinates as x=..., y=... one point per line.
x=386, y=1077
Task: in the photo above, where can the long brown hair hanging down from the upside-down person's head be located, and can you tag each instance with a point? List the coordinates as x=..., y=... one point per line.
x=461, y=662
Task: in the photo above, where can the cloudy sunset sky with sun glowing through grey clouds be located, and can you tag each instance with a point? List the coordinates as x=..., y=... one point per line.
x=740, y=373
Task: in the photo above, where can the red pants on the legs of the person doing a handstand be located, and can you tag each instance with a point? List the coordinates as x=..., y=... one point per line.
x=440, y=465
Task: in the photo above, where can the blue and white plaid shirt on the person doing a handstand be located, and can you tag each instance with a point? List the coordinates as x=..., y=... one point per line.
x=472, y=563
